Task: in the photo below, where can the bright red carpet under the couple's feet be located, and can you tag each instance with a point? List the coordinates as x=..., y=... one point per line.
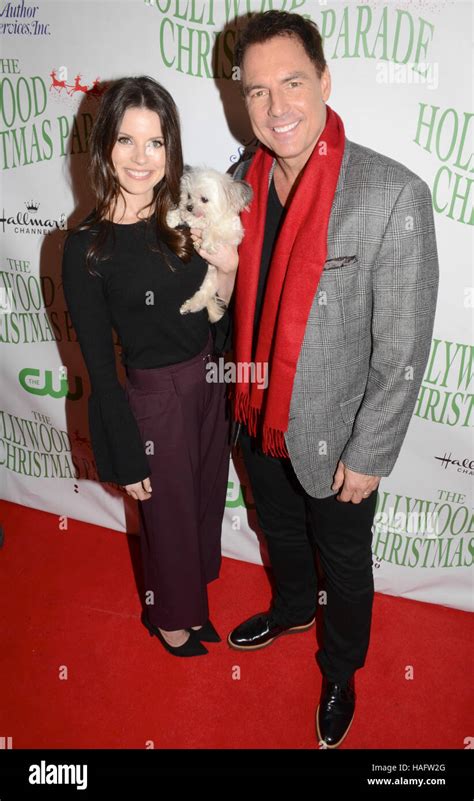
x=70, y=608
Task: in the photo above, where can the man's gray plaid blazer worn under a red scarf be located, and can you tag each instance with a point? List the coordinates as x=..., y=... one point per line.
x=368, y=335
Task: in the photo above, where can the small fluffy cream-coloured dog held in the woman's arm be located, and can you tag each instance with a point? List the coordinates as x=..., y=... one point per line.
x=212, y=201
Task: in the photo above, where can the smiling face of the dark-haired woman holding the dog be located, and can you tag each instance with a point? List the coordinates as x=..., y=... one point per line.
x=139, y=154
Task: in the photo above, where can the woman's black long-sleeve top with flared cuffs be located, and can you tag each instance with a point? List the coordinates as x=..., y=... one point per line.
x=138, y=296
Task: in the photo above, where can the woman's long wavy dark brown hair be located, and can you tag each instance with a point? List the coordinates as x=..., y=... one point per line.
x=125, y=93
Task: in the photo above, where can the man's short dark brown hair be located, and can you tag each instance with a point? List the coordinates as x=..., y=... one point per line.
x=266, y=25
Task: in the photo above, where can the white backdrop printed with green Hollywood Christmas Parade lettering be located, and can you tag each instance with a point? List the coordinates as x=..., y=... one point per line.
x=402, y=82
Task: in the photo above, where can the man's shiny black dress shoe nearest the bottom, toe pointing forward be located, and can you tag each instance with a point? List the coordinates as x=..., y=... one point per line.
x=335, y=712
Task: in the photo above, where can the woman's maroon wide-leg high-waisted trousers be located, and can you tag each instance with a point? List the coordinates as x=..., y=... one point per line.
x=184, y=423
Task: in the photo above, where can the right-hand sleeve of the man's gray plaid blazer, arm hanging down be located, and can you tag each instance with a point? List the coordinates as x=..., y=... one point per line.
x=405, y=289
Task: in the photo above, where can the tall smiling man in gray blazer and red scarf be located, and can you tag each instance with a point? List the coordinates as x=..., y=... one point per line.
x=336, y=292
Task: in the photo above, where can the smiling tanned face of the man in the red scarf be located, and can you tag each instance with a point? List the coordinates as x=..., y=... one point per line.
x=285, y=98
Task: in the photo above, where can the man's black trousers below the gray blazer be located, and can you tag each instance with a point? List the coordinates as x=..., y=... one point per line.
x=296, y=528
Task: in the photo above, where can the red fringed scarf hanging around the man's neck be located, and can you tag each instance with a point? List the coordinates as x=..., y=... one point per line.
x=293, y=277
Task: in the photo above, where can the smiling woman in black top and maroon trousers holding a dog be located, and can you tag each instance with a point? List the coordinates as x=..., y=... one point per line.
x=164, y=437
